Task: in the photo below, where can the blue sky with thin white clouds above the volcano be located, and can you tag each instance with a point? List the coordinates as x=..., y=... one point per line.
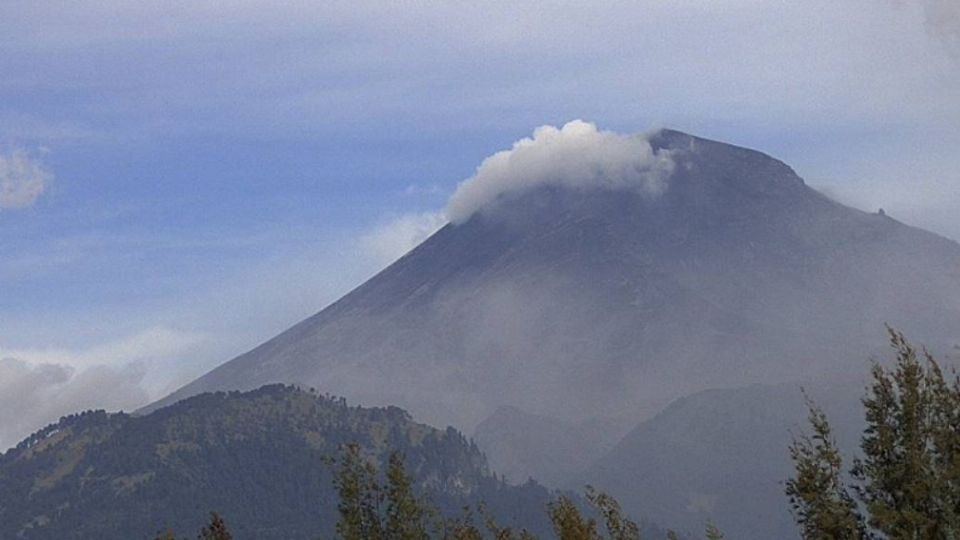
x=213, y=172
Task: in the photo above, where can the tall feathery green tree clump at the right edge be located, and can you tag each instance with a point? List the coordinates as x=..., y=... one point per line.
x=908, y=479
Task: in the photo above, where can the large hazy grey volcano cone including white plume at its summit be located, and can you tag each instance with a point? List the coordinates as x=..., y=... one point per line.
x=698, y=264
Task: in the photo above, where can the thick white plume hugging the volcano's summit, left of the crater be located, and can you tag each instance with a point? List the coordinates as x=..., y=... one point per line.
x=578, y=155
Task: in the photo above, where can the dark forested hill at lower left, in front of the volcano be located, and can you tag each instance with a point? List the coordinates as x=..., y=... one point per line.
x=258, y=458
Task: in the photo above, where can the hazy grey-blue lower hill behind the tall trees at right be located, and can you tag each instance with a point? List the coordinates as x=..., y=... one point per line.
x=721, y=455
